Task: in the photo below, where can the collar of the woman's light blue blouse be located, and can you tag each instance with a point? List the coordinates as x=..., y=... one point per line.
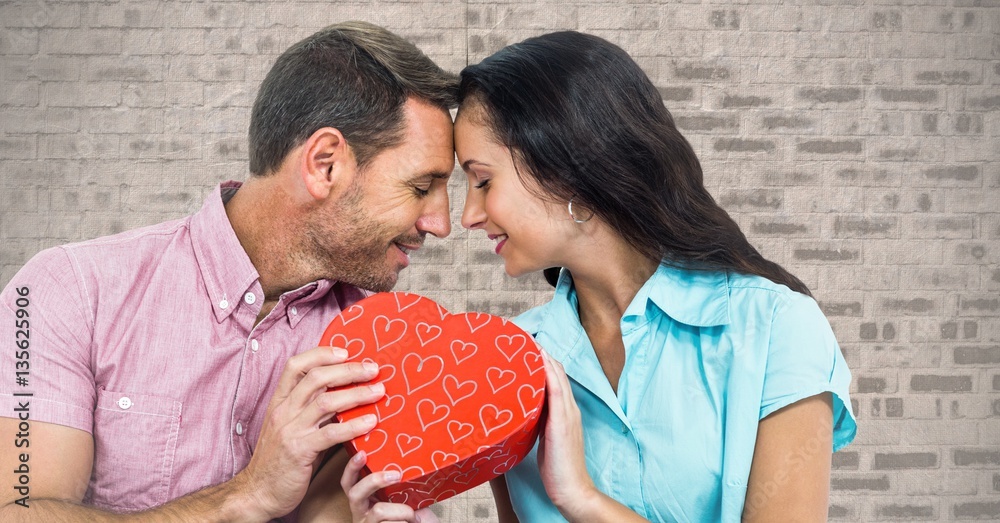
x=693, y=297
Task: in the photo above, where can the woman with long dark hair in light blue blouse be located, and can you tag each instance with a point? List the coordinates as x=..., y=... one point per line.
x=708, y=385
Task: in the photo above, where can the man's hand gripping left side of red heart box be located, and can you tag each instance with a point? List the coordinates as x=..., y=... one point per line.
x=298, y=428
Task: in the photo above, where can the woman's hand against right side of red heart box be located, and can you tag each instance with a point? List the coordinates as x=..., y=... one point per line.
x=561, y=458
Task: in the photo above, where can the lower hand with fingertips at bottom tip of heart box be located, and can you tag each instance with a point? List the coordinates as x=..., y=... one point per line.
x=366, y=509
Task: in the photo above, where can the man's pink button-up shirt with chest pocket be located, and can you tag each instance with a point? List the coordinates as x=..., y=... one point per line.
x=146, y=340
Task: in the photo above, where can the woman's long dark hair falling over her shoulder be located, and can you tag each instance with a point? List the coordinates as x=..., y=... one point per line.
x=586, y=122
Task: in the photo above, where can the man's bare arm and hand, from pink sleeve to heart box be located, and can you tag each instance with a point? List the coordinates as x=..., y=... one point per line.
x=296, y=433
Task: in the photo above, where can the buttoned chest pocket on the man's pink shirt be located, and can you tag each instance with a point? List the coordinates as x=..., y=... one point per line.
x=135, y=436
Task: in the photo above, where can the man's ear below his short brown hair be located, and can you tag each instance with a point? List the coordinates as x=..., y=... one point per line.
x=327, y=163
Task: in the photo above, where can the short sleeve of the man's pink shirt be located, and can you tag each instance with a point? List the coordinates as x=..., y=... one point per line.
x=56, y=365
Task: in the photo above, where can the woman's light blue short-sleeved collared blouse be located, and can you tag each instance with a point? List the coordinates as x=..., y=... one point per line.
x=707, y=355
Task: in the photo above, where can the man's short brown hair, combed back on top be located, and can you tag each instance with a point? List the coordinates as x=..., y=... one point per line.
x=353, y=76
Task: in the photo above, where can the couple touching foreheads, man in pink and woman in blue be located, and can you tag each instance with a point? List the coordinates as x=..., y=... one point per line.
x=688, y=378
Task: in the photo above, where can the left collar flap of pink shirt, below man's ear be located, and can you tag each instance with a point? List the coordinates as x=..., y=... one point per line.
x=225, y=267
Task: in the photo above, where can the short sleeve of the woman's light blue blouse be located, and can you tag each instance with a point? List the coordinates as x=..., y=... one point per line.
x=804, y=360
